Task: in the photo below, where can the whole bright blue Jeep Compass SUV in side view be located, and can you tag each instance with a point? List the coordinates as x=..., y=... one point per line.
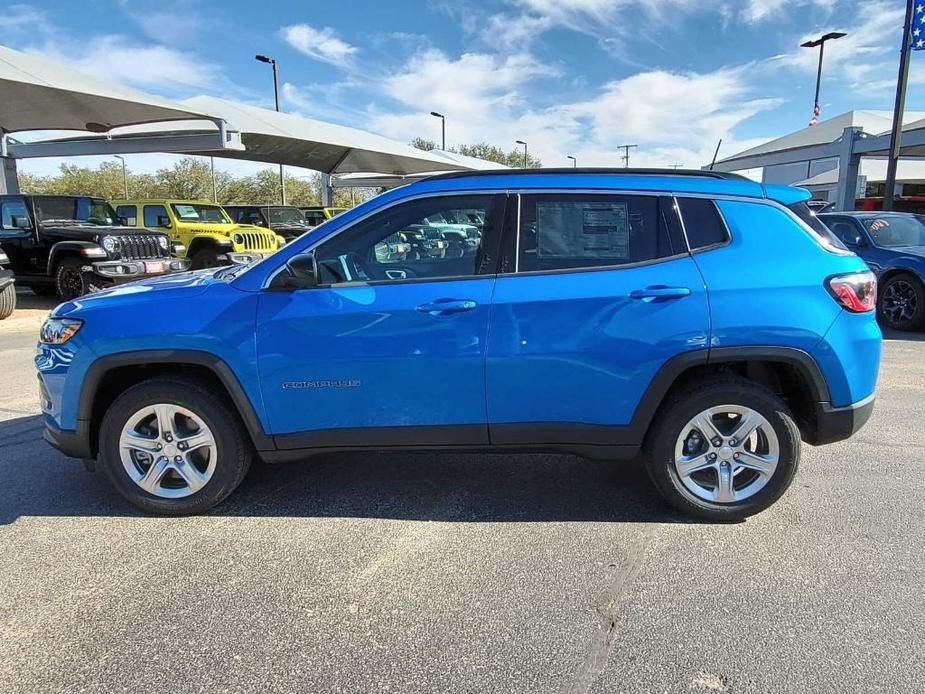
x=706, y=320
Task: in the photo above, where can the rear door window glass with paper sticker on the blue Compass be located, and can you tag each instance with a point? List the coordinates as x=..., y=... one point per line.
x=563, y=231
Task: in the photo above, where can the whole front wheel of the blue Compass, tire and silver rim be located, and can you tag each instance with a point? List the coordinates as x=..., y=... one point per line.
x=173, y=447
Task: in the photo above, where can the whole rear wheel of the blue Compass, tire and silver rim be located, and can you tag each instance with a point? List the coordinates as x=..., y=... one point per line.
x=723, y=450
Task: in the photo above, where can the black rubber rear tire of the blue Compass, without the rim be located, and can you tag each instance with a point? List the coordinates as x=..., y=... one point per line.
x=688, y=403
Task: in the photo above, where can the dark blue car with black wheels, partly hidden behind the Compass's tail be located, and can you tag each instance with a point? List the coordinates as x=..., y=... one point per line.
x=893, y=246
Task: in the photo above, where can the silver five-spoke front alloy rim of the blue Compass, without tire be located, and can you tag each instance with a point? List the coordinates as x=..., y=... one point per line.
x=167, y=450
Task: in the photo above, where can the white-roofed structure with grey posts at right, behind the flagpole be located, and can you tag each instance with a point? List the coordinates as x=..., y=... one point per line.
x=839, y=159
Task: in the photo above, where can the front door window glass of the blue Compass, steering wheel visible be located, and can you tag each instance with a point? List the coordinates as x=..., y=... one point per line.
x=410, y=241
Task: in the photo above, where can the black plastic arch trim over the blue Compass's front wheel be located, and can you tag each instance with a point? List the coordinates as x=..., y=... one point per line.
x=110, y=375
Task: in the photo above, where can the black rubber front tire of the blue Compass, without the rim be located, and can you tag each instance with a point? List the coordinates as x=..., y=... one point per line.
x=233, y=446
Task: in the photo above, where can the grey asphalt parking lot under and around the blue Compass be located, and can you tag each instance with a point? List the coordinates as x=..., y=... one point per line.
x=446, y=573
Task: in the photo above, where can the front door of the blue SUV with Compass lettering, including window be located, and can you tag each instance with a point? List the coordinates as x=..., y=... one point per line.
x=390, y=347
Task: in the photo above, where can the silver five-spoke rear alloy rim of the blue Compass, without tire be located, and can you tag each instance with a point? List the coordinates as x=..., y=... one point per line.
x=726, y=454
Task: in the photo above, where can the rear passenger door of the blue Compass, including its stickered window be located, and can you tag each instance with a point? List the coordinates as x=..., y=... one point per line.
x=601, y=294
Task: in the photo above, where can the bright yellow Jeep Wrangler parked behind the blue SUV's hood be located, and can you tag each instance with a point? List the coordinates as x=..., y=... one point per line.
x=208, y=233
